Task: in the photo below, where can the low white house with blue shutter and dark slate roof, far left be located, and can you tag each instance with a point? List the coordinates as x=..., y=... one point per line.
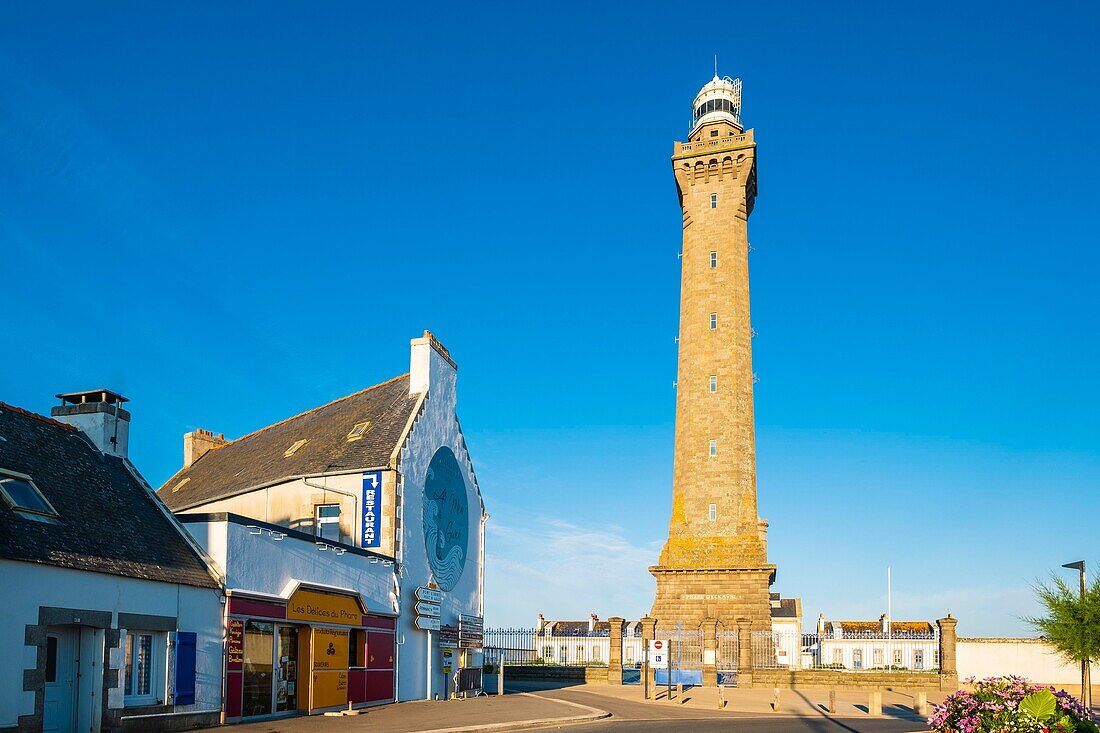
x=112, y=617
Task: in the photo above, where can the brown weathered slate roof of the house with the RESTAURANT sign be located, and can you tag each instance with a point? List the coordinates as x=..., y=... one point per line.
x=260, y=460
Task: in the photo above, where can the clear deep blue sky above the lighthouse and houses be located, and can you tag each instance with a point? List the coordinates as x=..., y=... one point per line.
x=236, y=212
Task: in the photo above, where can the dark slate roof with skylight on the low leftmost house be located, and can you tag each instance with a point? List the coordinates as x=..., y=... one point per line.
x=109, y=520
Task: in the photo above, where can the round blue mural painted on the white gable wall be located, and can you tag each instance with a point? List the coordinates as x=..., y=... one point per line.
x=446, y=519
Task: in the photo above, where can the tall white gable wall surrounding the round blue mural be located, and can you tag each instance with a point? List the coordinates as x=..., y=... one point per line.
x=437, y=426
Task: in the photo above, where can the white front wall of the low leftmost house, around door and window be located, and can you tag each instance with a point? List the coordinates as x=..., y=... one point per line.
x=31, y=586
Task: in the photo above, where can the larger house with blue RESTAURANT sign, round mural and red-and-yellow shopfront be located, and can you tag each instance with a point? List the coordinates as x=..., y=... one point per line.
x=325, y=526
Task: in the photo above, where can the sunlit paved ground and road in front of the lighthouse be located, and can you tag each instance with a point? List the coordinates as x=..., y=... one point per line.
x=607, y=708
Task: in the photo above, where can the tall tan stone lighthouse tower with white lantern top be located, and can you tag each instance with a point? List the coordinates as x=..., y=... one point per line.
x=716, y=562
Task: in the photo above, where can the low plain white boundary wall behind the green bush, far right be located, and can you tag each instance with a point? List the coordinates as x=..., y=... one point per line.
x=1025, y=658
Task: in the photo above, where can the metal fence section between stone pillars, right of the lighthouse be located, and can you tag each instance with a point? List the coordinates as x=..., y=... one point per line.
x=855, y=653
